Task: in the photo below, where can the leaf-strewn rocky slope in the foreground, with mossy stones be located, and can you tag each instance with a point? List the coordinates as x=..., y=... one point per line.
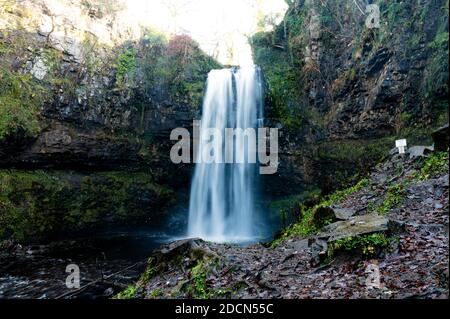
x=385, y=238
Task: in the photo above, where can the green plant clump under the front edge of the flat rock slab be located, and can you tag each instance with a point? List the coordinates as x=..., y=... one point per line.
x=366, y=244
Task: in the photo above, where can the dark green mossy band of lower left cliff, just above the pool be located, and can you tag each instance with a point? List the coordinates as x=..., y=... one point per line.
x=36, y=205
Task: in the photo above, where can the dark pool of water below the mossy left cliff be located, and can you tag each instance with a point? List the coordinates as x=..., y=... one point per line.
x=40, y=271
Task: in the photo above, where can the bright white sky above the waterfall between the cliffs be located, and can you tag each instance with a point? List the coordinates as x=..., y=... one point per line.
x=217, y=25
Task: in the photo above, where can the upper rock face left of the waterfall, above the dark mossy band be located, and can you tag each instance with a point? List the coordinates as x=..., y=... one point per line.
x=106, y=101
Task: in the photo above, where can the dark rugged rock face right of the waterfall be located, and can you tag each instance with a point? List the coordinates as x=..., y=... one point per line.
x=343, y=92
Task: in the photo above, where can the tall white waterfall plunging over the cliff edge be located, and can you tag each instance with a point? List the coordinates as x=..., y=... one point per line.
x=222, y=195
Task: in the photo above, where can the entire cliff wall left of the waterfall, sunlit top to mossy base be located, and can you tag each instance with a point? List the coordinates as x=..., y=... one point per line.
x=87, y=103
